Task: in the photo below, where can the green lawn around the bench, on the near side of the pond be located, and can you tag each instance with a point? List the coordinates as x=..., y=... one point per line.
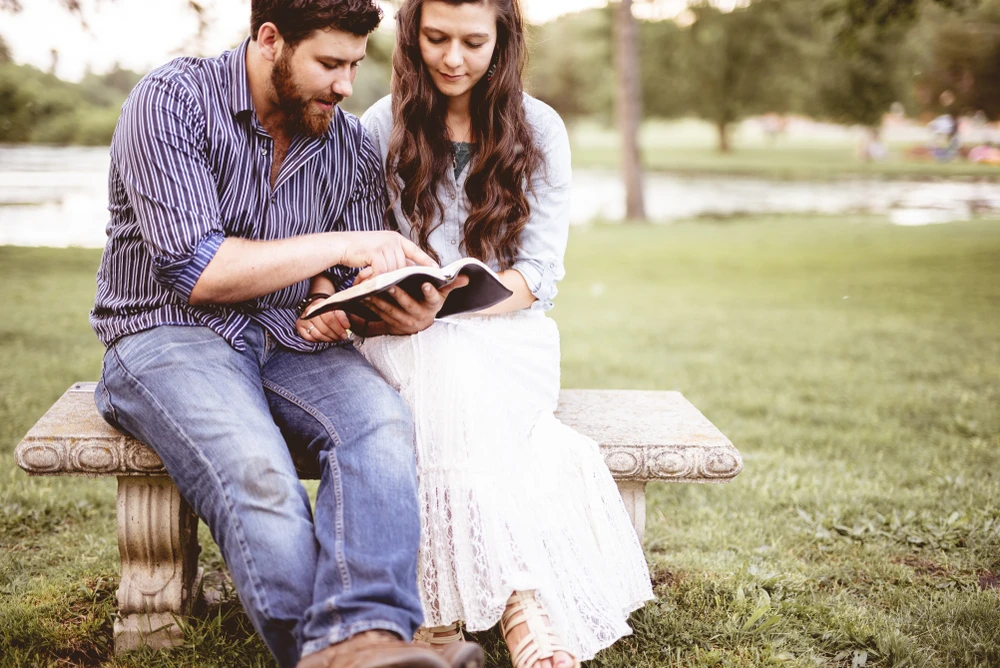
x=855, y=365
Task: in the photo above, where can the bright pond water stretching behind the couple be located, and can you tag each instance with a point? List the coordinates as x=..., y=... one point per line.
x=58, y=197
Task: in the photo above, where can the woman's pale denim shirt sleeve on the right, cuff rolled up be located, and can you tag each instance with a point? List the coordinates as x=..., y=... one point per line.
x=543, y=240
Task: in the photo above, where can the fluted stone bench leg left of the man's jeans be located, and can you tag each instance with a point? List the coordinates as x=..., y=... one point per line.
x=158, y=545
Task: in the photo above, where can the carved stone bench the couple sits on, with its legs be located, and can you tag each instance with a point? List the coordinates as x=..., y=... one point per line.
x=644, y=436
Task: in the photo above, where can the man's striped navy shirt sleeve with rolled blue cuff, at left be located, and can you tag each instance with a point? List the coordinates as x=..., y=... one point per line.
x=162, y=163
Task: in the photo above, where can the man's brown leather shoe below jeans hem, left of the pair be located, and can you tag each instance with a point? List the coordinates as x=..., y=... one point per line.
x=373, y=649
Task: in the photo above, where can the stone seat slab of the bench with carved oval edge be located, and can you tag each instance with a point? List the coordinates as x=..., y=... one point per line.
x=643, y=435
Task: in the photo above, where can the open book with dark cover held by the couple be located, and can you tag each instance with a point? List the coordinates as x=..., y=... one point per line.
x=483, y=291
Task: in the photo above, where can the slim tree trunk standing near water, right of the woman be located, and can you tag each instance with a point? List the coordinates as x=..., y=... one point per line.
x=629, y=107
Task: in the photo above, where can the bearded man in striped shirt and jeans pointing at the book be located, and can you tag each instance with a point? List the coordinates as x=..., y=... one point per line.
x=233, y=182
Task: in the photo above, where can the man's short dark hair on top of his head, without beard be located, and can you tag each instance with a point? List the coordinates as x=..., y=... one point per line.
x=297, y=19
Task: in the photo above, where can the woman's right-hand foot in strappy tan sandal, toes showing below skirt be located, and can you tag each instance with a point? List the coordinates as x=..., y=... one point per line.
x=529, y=635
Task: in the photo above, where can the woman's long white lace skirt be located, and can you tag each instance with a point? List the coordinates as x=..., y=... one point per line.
x=511, y=499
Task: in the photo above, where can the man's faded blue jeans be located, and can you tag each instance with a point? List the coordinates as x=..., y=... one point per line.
x=224, y=421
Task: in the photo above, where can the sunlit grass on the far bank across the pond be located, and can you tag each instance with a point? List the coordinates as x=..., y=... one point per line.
x=689, y=147
